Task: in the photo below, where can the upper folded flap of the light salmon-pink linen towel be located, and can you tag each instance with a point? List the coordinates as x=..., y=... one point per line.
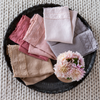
x=35, y=30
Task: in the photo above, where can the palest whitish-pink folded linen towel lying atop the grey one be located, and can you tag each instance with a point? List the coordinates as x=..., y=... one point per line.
x=59, y=24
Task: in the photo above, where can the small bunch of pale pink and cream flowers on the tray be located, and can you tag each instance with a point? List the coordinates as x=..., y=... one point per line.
x=70, y=66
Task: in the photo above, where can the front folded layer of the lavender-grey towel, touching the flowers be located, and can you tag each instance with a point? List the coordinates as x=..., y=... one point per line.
x=83, y=43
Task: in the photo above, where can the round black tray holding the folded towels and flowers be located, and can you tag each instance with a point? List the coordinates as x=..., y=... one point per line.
x=51, y=84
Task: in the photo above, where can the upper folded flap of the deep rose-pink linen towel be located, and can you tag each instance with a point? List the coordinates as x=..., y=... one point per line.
x=20, y=30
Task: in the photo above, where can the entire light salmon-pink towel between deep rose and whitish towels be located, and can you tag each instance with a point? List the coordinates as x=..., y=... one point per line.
x=35, y=37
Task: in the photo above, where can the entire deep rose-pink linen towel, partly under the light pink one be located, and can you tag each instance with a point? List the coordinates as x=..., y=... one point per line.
x=18, y=34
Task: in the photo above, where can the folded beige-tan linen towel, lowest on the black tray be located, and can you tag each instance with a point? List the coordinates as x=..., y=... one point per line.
x=27, y=67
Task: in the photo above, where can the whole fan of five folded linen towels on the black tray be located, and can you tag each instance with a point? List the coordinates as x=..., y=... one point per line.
x=41, y=39
